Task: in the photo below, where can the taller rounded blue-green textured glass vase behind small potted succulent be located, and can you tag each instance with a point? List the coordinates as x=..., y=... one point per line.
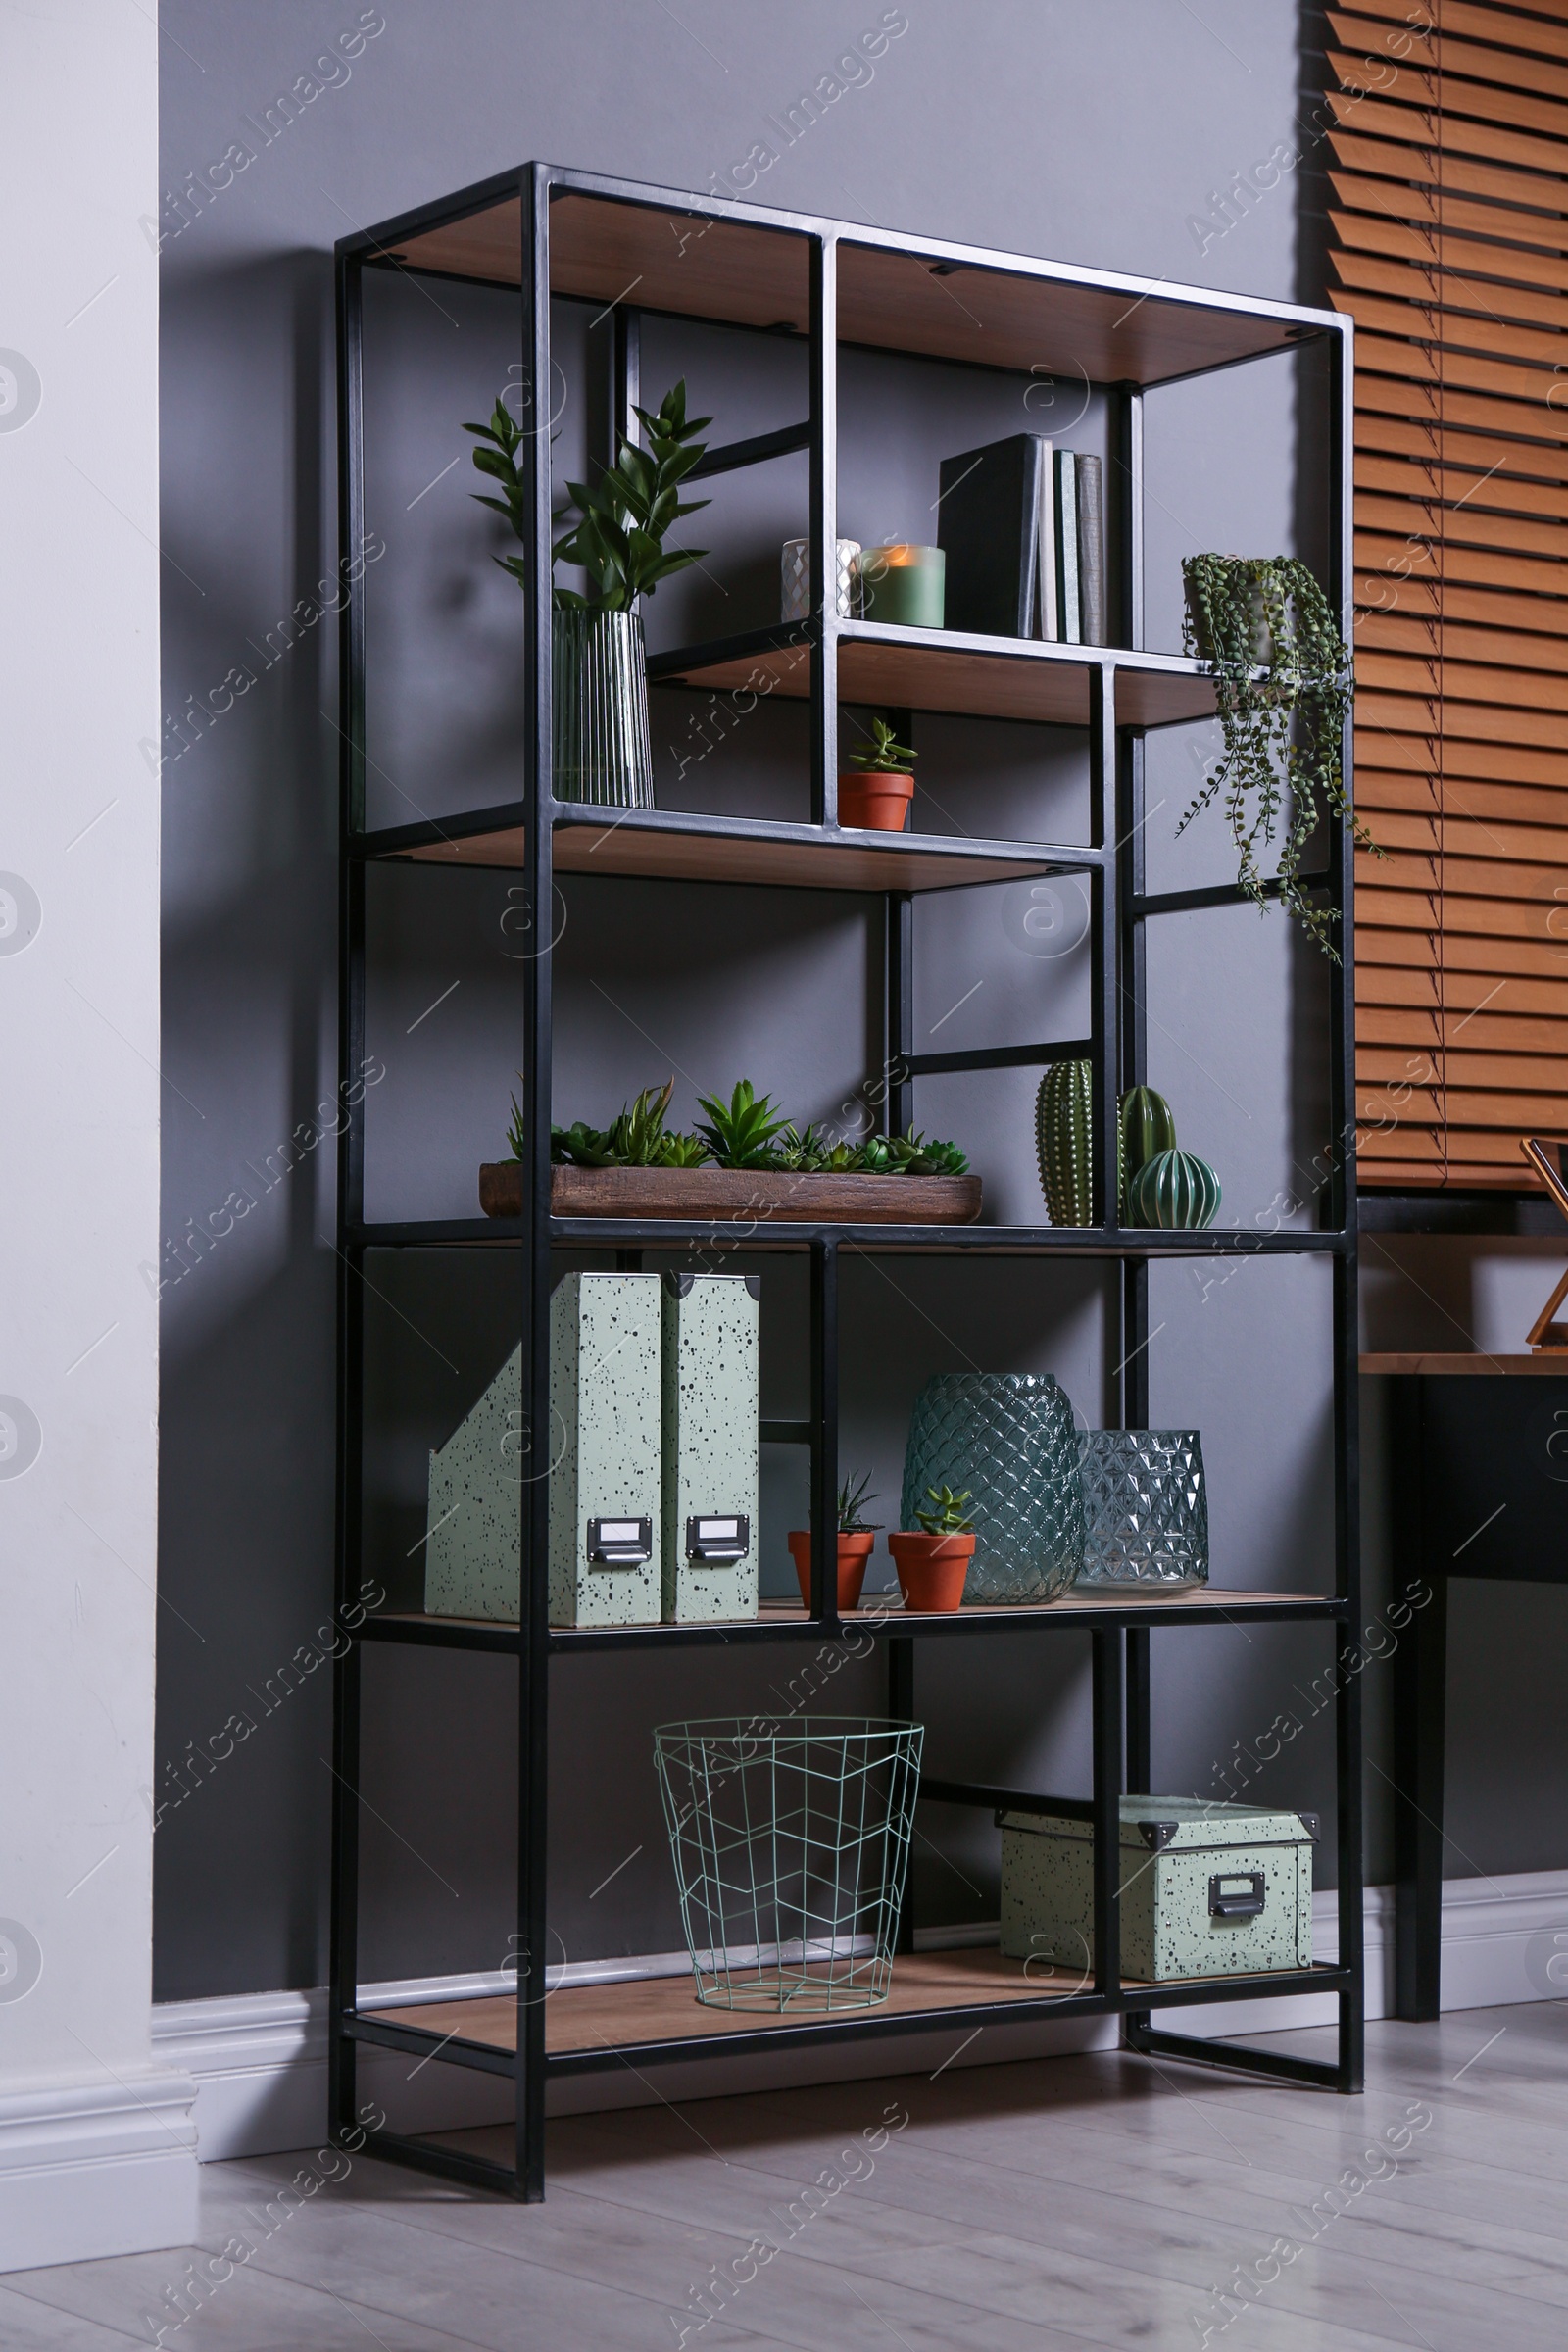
x=1010, y=1441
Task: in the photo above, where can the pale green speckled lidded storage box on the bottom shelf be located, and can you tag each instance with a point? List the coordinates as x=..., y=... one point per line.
x=1207, y=1890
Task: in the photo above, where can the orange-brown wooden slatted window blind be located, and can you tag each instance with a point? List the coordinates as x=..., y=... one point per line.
x=1449, y=140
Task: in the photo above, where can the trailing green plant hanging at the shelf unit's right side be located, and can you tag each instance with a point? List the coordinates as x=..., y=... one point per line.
x=1282, y=728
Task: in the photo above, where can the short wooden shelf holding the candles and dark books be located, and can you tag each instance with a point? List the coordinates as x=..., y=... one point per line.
x=930, y=669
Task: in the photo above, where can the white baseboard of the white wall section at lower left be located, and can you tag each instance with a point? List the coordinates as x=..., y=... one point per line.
x=91, y=2170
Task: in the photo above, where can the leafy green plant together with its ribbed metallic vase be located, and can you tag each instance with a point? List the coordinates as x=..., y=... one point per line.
x=617, y=533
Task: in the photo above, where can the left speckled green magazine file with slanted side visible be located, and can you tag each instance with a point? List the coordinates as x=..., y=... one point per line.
x=603, y=1466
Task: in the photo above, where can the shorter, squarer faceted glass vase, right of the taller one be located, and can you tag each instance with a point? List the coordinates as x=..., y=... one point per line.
x=1146, y=1509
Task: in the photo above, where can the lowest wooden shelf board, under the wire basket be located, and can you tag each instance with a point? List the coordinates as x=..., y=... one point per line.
x=666, y=2007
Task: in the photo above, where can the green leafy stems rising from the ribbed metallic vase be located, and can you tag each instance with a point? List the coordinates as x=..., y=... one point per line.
x=622, y=521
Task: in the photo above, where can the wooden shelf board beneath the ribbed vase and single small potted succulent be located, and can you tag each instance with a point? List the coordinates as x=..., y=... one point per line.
x=674, y=848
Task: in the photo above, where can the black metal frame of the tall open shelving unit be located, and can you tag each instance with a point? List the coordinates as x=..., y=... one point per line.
x=1120, y=909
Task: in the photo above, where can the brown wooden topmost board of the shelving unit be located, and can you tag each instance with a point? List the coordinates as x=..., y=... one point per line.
x=937, y=300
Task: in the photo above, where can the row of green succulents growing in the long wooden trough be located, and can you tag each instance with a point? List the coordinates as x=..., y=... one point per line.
x=744, y=1132
